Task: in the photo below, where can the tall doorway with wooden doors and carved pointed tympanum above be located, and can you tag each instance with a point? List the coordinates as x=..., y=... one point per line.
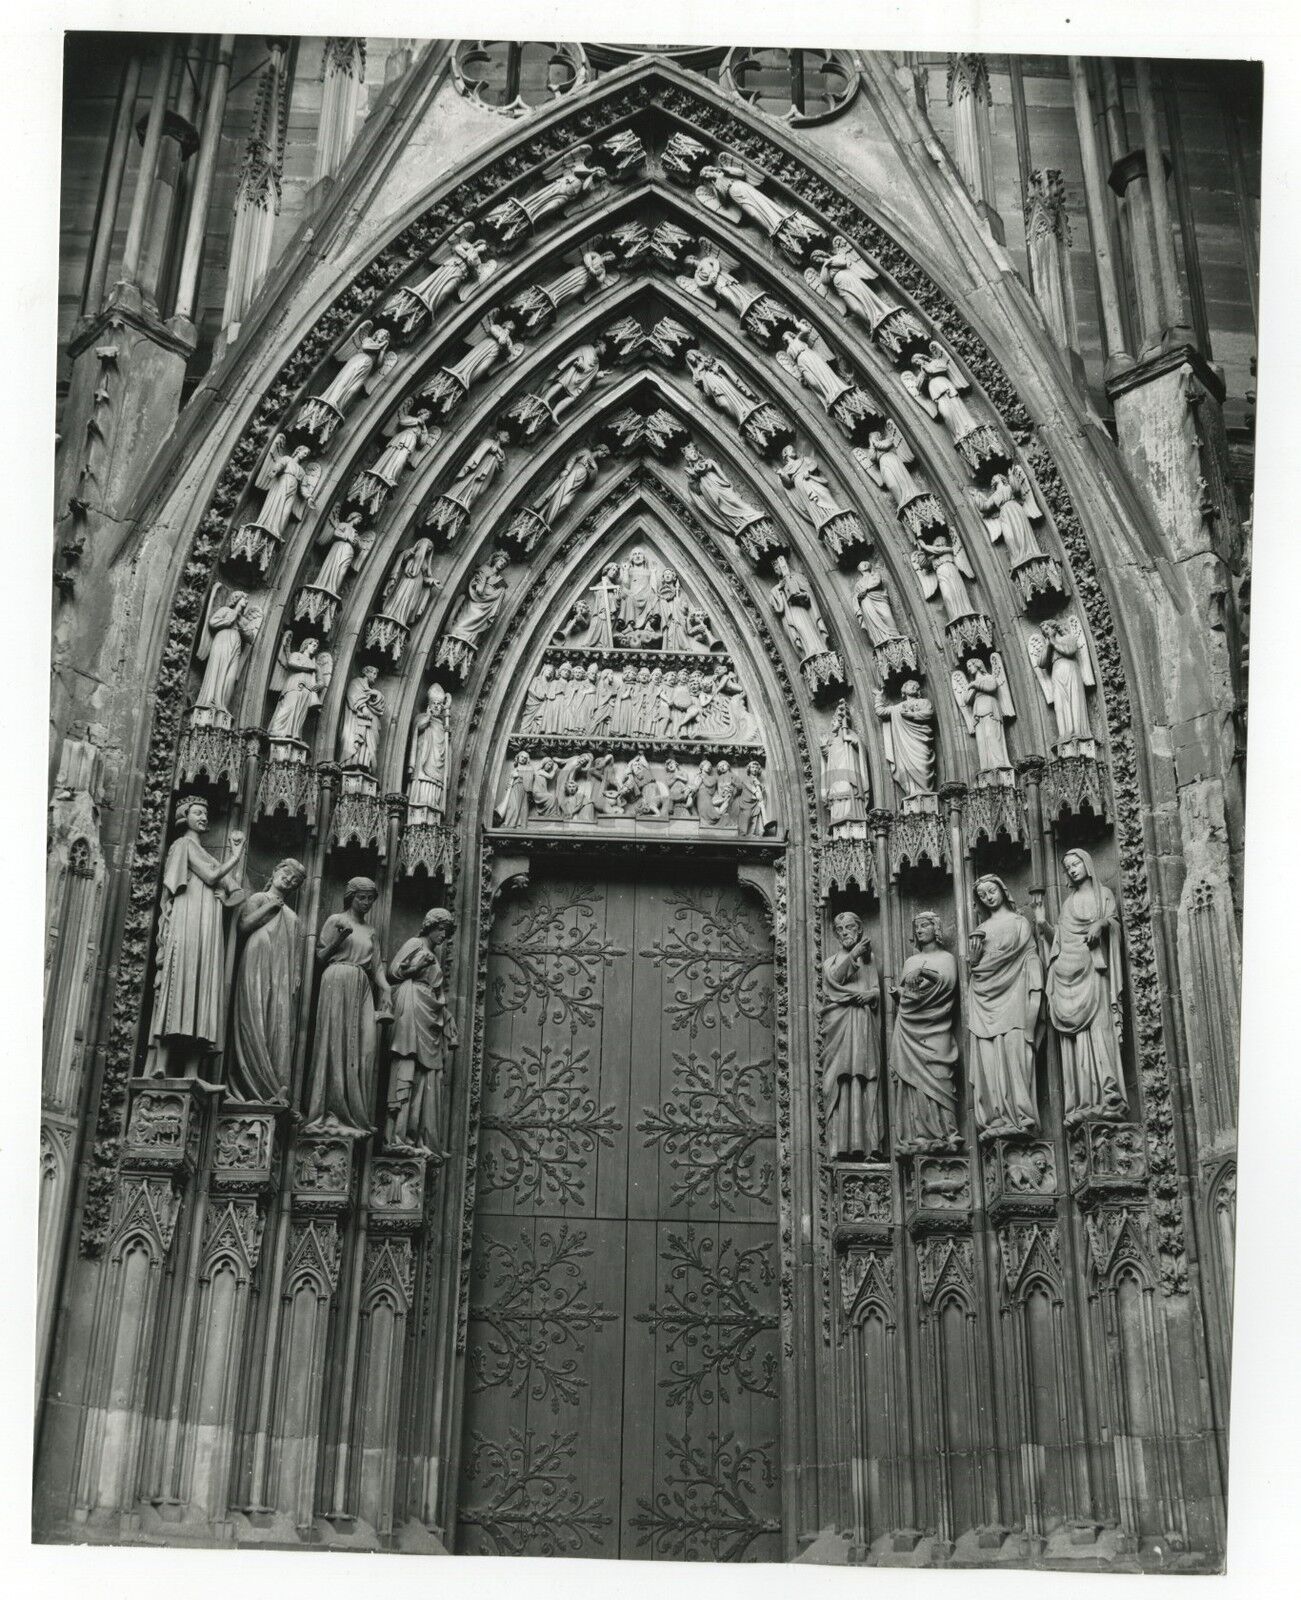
x=623, y=1375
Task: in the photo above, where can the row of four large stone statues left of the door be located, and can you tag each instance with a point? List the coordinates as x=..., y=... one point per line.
x=201, y=1018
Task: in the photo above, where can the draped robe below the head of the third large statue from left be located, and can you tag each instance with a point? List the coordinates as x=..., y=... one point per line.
x=345, y=1049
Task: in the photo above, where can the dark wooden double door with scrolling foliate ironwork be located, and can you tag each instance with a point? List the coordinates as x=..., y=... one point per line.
x=623, y=1351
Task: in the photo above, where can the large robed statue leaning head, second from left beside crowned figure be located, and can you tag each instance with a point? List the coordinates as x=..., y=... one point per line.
x=266, y=991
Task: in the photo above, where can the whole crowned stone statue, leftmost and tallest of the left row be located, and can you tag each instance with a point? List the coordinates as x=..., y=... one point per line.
x=190, y=983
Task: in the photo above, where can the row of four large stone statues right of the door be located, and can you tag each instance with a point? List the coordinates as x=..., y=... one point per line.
x=1020, y=975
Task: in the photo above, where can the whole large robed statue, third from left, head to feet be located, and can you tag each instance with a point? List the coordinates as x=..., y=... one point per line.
x=351, y=1001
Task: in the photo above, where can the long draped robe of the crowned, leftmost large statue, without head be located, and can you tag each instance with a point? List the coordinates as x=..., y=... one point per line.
x=190, y=986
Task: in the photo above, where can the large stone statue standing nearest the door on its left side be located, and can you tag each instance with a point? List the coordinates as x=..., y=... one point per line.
x=425, y=1036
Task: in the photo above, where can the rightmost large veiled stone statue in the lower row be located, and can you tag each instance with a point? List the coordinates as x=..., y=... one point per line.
x=1084, y=986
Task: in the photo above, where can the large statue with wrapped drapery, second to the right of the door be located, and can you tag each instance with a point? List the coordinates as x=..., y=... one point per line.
x=924, y=1049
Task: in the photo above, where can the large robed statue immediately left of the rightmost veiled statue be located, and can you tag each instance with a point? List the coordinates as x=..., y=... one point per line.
x=1004, y=1002
